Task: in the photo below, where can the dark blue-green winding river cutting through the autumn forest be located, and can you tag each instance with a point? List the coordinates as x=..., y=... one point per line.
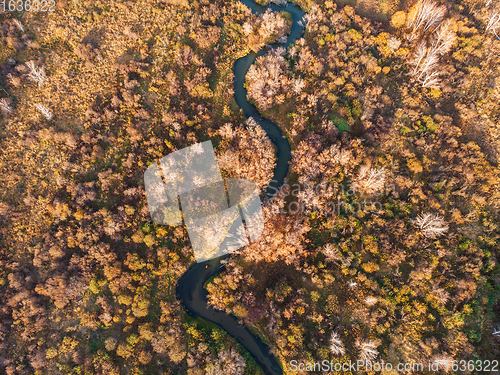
x=190, y=286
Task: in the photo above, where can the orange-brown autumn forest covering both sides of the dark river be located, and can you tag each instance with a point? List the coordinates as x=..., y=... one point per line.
x=383, y=243
